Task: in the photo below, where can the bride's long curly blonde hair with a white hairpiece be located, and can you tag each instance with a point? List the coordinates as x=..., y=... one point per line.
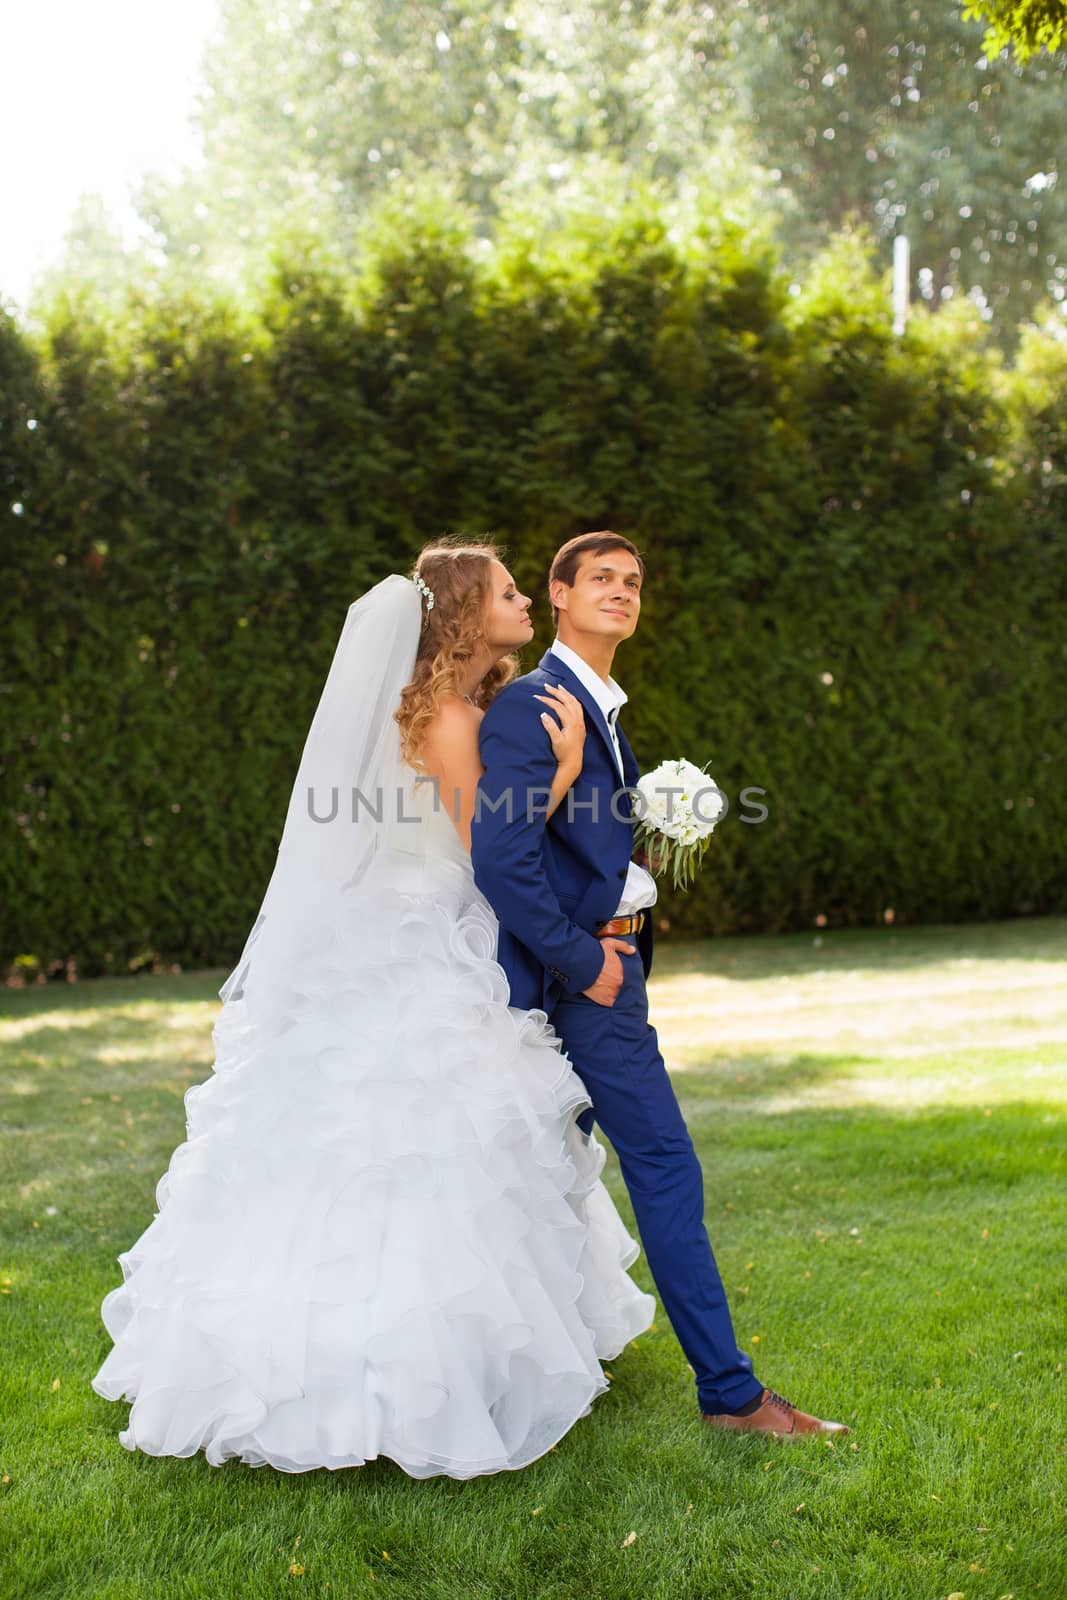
x=454, y=633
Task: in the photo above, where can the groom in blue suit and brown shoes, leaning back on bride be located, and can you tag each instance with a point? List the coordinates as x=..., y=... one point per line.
x=577, y=940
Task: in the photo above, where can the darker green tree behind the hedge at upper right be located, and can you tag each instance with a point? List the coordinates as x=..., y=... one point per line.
x=895, y=118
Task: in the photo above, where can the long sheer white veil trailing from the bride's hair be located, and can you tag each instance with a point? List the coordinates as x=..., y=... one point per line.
x=345, y=794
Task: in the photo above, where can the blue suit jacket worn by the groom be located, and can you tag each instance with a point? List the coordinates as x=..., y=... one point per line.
x=551, y=884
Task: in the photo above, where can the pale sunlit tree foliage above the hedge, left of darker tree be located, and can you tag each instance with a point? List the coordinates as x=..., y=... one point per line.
x=313, y=111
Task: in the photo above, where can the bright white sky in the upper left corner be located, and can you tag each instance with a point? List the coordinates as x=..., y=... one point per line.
x=92, y=95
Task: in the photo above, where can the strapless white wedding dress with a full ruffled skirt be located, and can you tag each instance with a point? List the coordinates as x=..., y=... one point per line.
x=386, y=1234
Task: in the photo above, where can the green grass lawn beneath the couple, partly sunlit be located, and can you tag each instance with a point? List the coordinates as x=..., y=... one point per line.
x=881, y=1116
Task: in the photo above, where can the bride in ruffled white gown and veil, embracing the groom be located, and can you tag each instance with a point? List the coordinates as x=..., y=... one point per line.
x=385, y=1234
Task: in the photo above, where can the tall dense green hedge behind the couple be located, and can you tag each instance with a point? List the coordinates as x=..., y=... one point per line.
x=857, y=564
